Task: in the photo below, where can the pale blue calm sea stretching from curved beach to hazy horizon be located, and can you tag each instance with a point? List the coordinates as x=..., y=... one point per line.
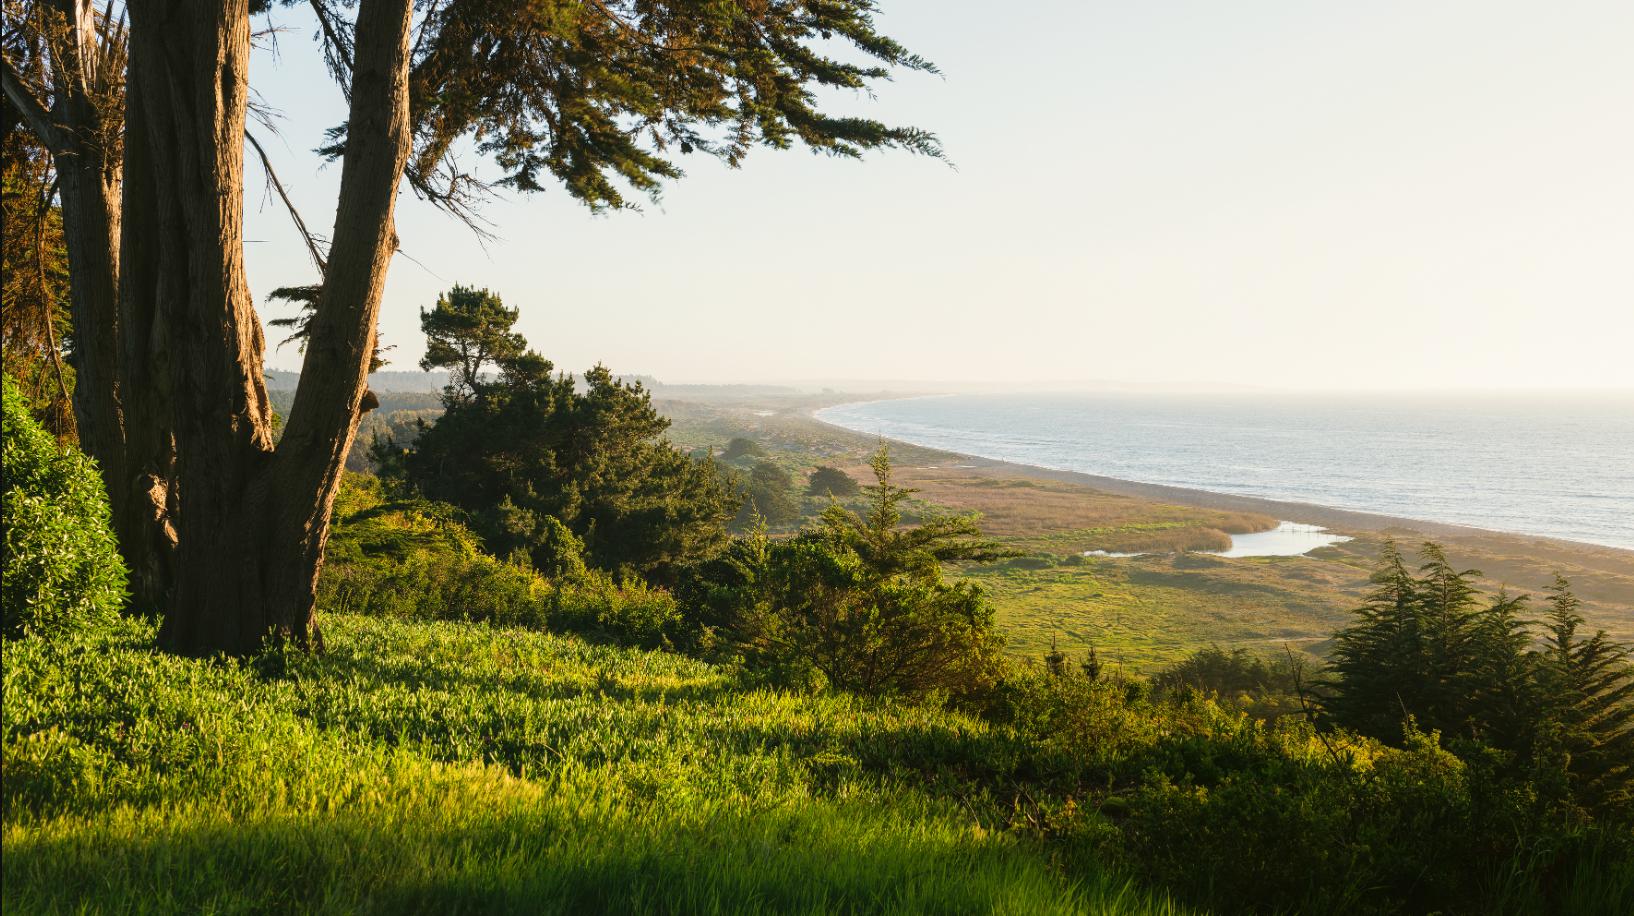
x=1532, y=465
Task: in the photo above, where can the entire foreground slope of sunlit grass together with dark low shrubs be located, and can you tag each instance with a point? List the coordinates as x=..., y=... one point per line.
x=457, y=768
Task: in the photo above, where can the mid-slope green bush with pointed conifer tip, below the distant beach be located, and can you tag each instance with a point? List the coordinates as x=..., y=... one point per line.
x=857, y=602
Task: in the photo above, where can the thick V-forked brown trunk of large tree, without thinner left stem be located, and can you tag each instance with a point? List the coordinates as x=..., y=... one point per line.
x=249, y=525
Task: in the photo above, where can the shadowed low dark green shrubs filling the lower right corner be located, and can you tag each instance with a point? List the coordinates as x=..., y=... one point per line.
x=1244, y=816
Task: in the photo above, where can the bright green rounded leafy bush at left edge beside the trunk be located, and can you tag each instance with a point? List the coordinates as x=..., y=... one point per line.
x=63, y=569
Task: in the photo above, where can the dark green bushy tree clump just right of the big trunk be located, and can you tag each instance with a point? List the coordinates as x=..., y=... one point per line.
x=529, y=455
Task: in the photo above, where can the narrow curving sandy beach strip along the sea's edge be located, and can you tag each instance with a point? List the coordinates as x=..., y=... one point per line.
x=1344, y=522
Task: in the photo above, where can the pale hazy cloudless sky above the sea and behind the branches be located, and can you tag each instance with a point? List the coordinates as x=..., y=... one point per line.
x=1288, y=195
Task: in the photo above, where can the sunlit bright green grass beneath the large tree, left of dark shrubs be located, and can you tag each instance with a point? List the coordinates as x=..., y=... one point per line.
x=450, y=768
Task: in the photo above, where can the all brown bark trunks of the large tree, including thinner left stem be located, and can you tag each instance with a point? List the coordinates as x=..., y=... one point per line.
x=223, y=533
